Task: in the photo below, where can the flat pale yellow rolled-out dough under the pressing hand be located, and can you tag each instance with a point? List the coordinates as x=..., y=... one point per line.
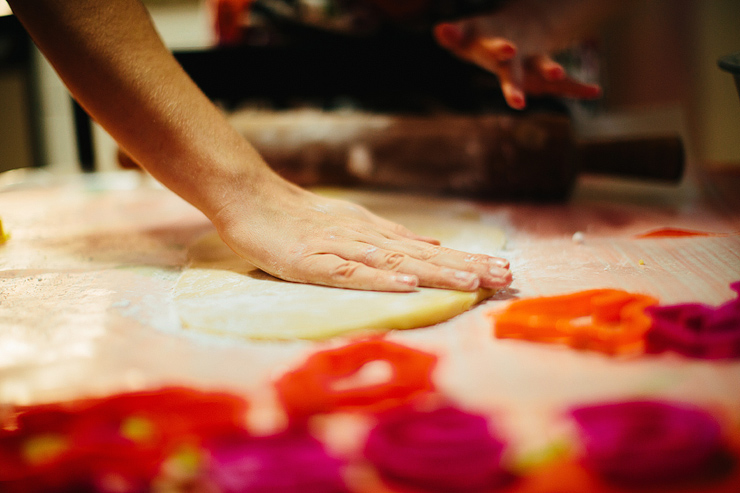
x=221, y=293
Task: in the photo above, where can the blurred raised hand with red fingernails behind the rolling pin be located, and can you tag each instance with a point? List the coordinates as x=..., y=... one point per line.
x=515, y=43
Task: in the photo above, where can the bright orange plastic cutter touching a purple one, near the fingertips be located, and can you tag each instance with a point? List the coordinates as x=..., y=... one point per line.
x=607, y=320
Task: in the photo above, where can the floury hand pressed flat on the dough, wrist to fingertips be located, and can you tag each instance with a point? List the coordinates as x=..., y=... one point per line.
x=298, y=236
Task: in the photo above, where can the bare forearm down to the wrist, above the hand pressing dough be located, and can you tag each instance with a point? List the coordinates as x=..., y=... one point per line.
x=112, y=60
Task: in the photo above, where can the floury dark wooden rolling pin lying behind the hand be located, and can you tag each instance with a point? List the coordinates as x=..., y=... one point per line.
x=535, y=156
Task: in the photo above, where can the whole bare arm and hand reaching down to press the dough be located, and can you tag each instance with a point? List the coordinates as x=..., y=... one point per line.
x=114, y=63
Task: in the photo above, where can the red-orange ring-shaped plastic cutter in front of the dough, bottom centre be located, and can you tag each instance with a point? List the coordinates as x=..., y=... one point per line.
x=310, y=389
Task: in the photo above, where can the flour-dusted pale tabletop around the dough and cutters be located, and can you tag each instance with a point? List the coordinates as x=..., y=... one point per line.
x=87, y=277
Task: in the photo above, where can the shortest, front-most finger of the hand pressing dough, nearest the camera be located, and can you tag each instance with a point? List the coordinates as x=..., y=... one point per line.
x=335, y=271
